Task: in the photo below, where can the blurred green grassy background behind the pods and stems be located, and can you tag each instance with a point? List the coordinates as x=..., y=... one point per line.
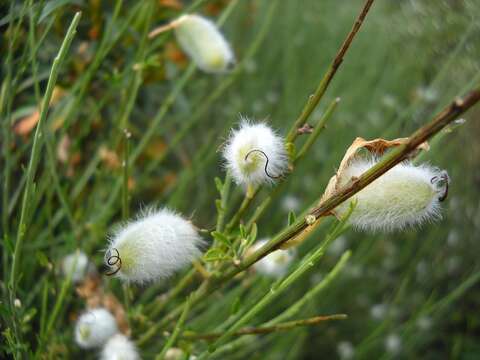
x=413, y=294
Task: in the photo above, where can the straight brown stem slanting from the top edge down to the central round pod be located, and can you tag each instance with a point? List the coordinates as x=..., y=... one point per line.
x=327, y=78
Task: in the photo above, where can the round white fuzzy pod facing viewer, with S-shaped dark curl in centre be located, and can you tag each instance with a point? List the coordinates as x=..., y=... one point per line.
x=254, y=154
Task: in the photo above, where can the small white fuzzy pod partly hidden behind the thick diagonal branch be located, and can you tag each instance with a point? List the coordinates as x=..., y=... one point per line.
x=276, y=263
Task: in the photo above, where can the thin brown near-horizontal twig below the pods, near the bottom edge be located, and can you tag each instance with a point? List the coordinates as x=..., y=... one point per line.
x=289, y=325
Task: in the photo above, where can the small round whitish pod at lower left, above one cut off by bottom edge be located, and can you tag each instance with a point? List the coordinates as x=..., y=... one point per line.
x=94, y=328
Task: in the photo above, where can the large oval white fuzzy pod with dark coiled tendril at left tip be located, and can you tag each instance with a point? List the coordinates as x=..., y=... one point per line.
x=153, y=247
